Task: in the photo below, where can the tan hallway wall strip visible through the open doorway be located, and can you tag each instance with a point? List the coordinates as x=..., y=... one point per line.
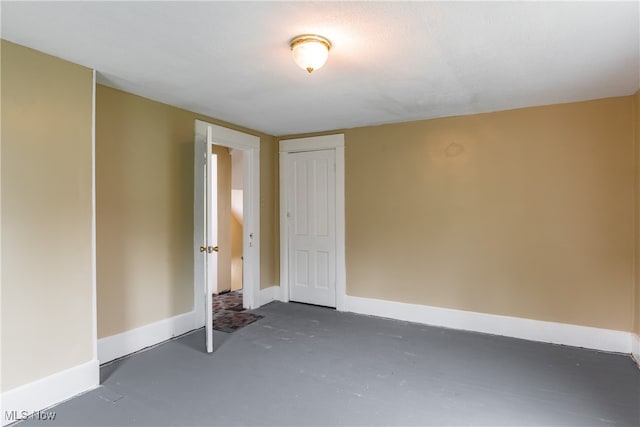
x=224, y=218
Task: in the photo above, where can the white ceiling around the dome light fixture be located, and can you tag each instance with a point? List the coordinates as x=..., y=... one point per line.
x=390, y=61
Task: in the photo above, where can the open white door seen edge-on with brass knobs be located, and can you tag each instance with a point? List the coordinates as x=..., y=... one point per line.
x=210, y=247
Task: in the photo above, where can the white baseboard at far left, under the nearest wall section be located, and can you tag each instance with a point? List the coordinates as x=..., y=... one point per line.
x=27, y=399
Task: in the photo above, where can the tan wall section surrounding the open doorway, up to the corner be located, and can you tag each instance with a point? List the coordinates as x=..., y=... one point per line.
x=144, y=179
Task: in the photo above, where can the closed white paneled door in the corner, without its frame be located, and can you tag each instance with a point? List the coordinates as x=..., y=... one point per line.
x=311, y=214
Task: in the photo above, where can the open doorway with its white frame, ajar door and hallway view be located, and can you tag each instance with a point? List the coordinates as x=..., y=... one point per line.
x=214, y=220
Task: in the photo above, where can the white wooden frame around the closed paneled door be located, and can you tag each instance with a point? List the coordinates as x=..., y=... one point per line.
x=315, y=143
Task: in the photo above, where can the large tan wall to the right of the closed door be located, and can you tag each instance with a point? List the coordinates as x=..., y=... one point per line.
x=525, y=213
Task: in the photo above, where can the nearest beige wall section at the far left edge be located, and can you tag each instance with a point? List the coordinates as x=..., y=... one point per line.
x=47, y=319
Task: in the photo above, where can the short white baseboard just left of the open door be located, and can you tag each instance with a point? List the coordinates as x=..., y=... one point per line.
x=115, y=346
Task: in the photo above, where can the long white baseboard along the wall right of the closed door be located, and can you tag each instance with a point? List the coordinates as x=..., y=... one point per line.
x=534, y=330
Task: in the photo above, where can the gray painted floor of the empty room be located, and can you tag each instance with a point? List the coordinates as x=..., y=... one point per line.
x=306, y=365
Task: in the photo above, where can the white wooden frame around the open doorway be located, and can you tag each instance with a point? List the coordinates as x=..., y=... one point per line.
x=250, y=145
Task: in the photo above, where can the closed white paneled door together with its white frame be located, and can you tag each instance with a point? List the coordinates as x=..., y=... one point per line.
x=307, y=267
